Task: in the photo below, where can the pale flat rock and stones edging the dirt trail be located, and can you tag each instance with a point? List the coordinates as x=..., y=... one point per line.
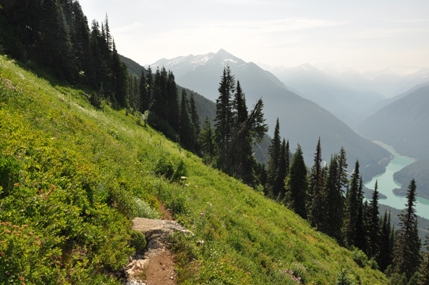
x=157, y=233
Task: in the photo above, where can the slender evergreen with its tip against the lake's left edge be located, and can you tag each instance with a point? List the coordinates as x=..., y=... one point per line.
x=373, y=225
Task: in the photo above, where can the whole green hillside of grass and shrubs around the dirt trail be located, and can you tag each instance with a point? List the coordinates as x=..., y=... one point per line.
x=73, y=176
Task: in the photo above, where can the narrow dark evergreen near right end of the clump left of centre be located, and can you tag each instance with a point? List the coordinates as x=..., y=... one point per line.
x=186, y=133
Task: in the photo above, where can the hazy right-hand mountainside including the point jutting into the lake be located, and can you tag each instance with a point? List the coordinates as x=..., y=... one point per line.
x=404, y=124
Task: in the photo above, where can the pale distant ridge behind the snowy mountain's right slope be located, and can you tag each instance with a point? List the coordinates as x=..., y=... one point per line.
x=349, y=105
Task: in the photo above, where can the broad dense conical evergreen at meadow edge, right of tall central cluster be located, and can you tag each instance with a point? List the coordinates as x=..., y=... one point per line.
x=297, y=186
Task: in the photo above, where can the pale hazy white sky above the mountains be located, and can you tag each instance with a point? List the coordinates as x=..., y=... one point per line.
x=362, y=34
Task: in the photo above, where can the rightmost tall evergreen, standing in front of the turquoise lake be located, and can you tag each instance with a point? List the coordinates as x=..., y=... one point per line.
x=407, y=256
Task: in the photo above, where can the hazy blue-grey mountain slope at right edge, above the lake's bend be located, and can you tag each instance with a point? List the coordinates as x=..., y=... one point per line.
x=403, y=124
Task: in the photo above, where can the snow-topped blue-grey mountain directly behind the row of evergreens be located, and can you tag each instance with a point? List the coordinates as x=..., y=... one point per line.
x=301, y=120
